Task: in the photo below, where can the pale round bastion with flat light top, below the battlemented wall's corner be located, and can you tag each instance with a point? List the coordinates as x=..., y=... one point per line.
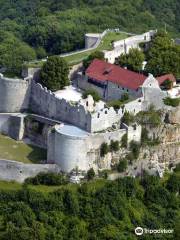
x=70, y=147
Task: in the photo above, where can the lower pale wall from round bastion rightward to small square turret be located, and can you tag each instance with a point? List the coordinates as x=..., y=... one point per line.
x=76, y=148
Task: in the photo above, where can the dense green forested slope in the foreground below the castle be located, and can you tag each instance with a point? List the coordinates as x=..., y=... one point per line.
x=97, y=210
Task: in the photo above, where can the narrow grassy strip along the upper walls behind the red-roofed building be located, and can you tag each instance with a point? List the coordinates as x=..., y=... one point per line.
x=106, y=44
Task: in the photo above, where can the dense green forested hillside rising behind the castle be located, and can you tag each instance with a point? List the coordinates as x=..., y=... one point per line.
x=57, y=26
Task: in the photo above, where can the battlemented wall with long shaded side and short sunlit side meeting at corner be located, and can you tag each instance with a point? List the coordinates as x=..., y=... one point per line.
x=45, y=103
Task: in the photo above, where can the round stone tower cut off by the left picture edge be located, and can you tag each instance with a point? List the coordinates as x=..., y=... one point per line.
x=14, y=95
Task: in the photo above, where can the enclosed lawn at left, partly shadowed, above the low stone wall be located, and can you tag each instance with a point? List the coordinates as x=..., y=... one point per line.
x=19, y=151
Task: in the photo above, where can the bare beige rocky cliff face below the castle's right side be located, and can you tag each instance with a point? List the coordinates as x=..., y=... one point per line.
x=153, y=158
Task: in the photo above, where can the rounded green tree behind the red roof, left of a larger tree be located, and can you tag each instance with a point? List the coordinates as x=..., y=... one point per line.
x=133, y=60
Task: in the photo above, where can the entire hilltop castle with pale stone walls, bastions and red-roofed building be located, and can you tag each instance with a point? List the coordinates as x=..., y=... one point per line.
x=74, y=131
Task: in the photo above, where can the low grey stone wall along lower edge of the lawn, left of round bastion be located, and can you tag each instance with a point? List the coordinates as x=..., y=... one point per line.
x=16, y=171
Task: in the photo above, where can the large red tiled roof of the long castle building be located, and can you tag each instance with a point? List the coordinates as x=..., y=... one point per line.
x=103, y=71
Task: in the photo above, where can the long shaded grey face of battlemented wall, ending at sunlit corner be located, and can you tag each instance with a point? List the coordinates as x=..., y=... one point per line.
x=44, y=102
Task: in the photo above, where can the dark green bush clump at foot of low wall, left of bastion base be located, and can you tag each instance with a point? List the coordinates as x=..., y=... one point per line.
x=50, y=179
